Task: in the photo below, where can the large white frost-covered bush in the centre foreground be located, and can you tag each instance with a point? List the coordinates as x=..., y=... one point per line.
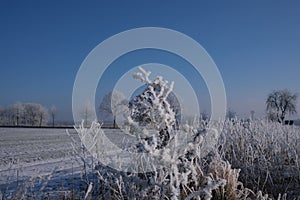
x=176, y=157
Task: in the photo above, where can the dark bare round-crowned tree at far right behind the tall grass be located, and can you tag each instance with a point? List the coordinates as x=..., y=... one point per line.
x=280, y=103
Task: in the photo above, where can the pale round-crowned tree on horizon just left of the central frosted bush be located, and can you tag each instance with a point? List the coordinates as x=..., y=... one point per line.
x=113, y=104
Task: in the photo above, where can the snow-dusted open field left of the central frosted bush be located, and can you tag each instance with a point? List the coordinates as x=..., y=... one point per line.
x=44, y=158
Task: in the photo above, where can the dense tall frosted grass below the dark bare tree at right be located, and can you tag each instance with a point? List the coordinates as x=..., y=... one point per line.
x=267, y=154
